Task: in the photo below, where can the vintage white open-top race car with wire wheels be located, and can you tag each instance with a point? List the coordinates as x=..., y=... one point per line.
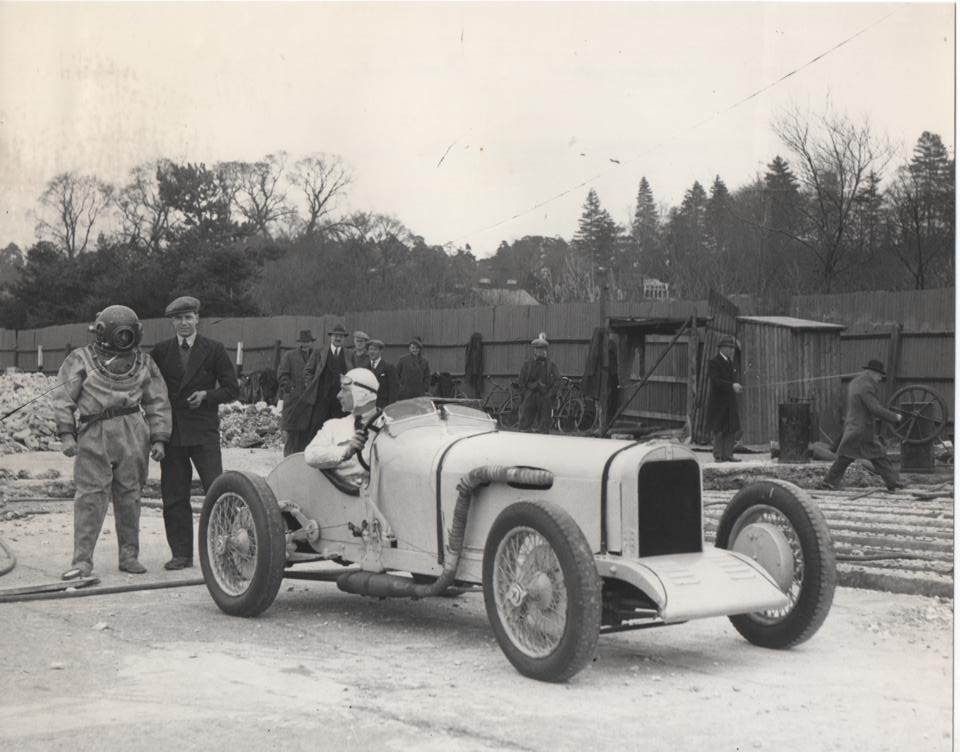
x=568, y=536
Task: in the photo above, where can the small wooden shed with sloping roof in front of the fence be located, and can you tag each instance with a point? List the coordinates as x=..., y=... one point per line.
x=785, y=359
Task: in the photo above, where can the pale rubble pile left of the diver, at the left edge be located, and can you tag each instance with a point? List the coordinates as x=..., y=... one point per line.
x=32, y=428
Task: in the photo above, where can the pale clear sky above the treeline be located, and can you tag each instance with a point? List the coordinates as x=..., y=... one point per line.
x=471, y=123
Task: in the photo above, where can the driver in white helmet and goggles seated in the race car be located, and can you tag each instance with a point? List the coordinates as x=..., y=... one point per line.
x=342, y=443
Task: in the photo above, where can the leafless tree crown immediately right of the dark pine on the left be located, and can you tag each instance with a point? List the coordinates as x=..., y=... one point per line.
x=254, y=190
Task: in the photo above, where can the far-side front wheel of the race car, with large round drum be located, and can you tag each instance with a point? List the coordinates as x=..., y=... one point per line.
x=778, y=524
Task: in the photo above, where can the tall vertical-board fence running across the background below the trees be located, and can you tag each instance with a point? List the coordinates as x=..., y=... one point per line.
x=923, y=322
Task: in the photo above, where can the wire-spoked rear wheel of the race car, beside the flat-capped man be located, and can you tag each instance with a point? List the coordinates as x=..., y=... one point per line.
x=242, y=543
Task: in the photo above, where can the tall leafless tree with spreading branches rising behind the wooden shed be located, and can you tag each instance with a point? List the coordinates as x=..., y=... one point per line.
x=835, y=159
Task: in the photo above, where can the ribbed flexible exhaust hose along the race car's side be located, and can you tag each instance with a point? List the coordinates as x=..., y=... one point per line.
x=383, y=585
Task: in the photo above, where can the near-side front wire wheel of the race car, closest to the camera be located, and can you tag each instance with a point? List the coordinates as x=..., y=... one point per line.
x=542, y=590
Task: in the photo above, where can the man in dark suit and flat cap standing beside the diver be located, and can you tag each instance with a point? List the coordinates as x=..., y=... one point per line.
x=199, y=377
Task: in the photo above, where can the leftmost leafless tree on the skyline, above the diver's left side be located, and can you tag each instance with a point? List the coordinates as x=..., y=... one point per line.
x=71, y=206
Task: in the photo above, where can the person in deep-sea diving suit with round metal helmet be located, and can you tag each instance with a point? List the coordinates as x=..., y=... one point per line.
x=112, y=412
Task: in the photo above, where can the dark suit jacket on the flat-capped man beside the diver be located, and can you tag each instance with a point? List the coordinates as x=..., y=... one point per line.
x=209, y=369
